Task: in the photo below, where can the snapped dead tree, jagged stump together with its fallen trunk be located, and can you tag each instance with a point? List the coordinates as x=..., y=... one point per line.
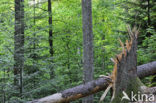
x=126, y=79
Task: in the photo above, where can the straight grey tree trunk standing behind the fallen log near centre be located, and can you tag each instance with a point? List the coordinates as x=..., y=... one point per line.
x=87, y=44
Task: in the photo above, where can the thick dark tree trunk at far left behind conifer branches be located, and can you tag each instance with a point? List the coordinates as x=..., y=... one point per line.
x=19, y=44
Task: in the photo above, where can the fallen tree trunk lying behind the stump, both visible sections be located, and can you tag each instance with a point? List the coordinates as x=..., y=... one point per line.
x=92, y=87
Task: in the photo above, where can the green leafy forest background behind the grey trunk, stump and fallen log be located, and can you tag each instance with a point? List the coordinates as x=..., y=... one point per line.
x=51, y=63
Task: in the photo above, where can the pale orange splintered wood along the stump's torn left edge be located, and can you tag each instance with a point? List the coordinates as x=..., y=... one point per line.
x=133, y=34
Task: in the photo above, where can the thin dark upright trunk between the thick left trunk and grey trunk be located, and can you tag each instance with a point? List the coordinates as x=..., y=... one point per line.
x=51, y=51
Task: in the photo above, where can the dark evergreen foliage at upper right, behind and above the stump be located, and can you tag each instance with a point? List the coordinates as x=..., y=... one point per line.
x=141, y=13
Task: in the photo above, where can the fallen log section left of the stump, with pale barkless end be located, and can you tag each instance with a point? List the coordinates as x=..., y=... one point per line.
x=76, y=92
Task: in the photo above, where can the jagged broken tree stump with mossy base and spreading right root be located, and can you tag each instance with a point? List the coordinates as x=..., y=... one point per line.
x=127, y=81
